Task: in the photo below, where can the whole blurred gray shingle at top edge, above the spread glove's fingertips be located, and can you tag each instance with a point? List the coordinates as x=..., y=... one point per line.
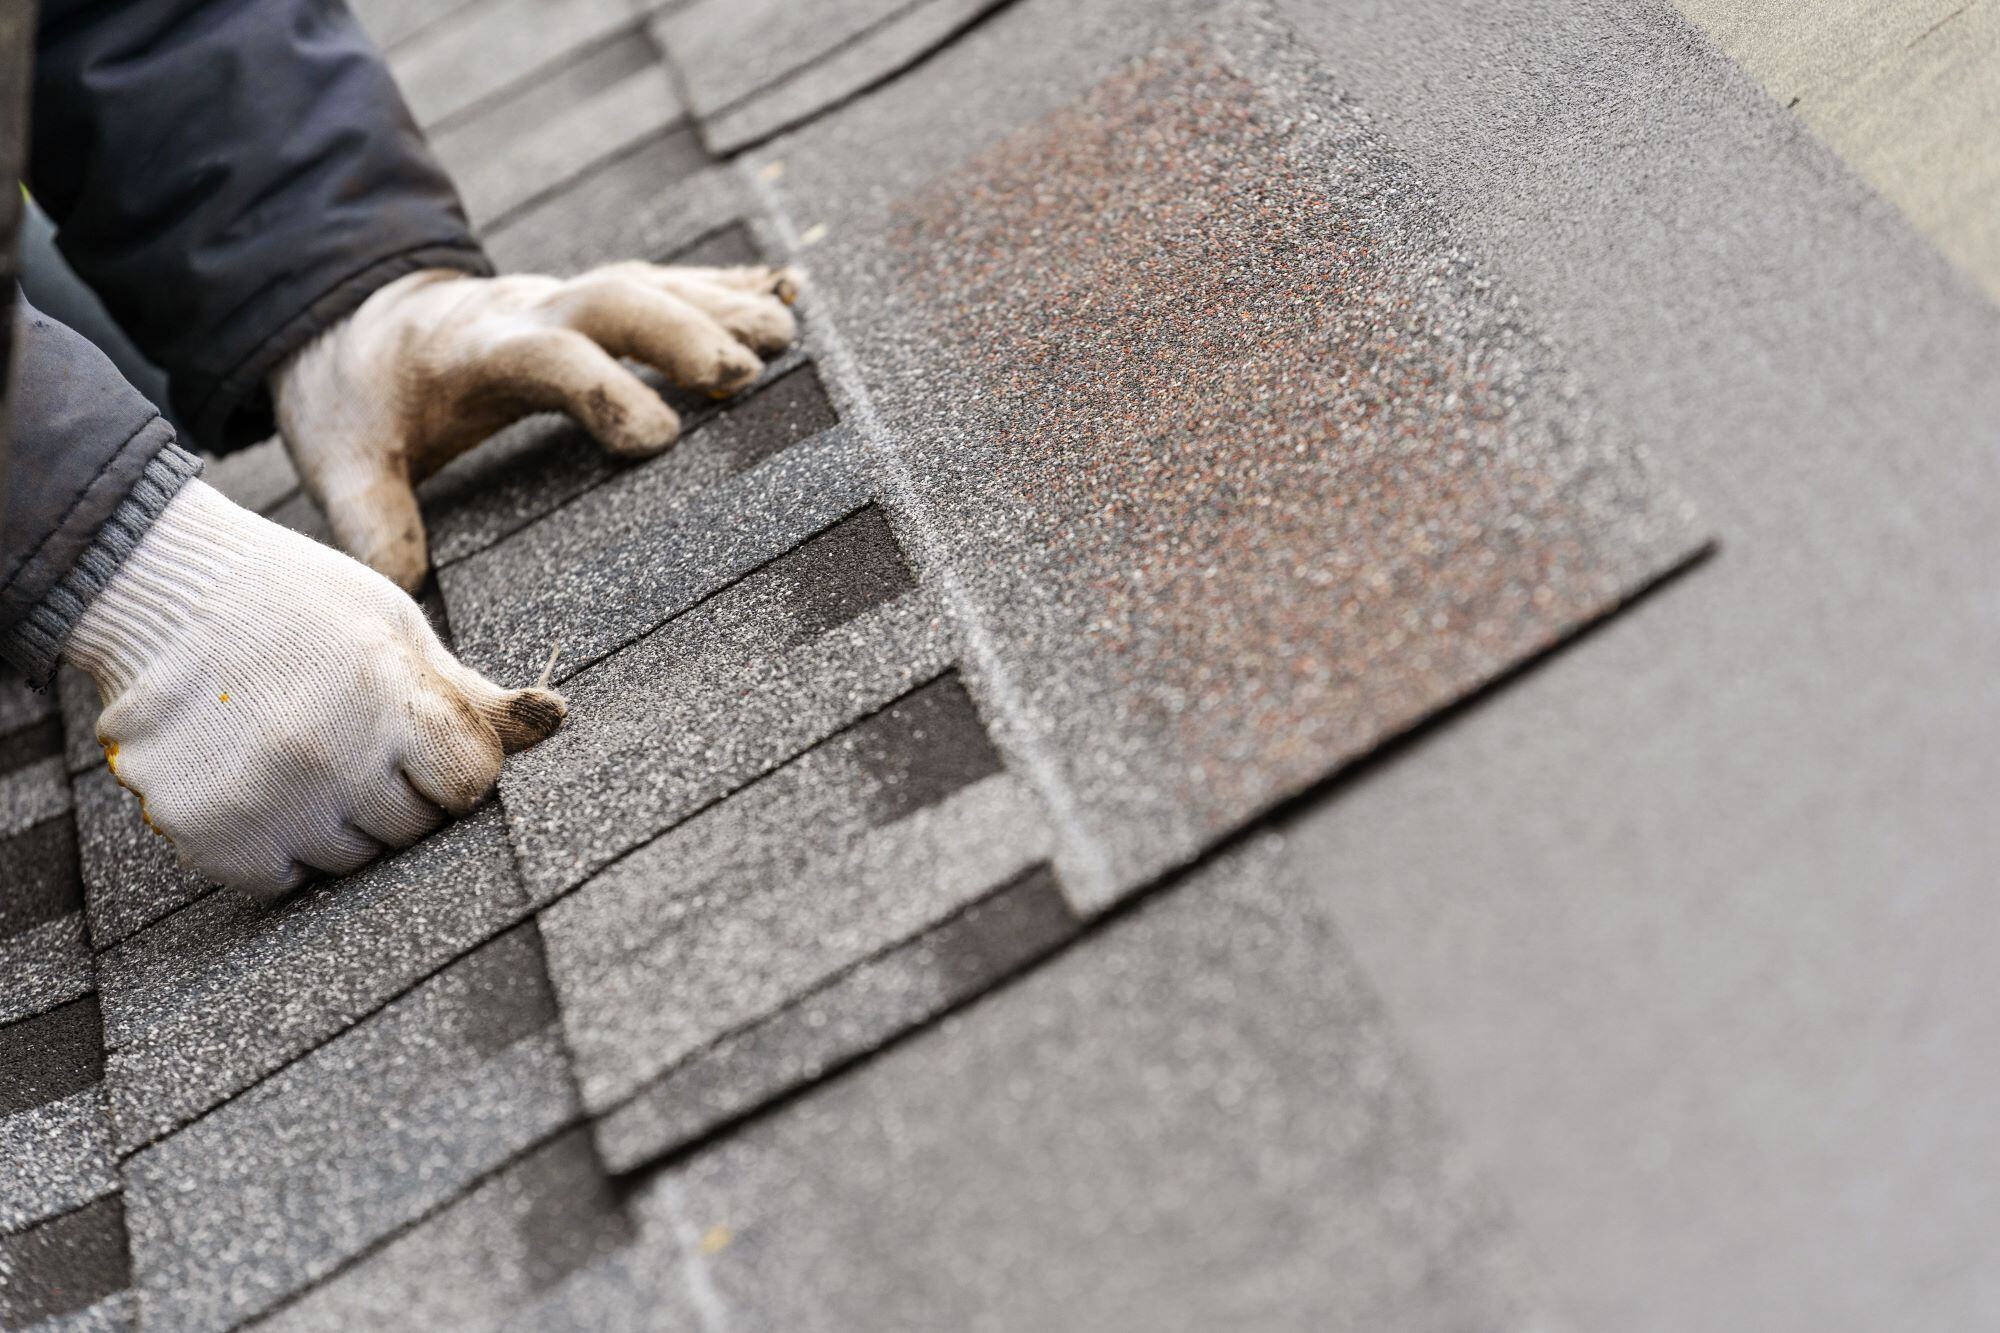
x=757, y=69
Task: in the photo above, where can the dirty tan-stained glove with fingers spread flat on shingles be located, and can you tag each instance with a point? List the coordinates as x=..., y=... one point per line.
x=435, y=363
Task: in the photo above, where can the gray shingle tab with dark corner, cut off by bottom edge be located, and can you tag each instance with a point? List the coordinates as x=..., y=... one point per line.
x=545, y=1244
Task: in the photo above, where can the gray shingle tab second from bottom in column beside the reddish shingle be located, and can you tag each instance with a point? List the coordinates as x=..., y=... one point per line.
x=851, y=850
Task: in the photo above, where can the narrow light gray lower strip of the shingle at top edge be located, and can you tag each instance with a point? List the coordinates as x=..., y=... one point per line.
x=841, y=73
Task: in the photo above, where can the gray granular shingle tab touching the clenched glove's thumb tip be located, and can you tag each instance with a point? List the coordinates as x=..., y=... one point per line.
x=721, y=696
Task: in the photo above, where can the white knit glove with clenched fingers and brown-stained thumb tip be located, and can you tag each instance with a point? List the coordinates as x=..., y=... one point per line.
x=279, y=708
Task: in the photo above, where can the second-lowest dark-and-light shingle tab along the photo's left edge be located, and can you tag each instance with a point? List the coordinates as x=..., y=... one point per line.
x=55, y=1146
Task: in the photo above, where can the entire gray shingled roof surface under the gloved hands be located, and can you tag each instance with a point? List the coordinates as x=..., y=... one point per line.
x=1089, y=800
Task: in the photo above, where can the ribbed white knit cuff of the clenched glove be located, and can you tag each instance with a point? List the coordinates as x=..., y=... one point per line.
x=157, y=595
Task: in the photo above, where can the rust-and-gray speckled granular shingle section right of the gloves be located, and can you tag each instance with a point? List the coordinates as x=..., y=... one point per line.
x=1255, y=467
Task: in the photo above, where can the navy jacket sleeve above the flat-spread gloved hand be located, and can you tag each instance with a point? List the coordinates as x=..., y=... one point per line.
x=231, y=177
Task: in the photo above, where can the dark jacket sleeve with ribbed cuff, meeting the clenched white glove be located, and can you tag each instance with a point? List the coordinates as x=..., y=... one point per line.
x=91, y=467
